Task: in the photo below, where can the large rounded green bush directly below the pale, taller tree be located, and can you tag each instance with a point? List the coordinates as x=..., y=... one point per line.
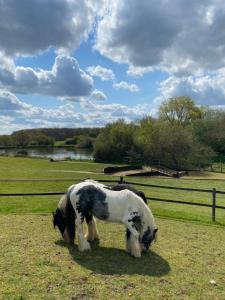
x=174, y=146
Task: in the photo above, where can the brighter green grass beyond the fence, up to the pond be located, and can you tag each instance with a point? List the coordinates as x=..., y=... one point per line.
x=70, y=172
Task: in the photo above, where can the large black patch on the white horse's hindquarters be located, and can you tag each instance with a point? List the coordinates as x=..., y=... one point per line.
x=92, y=200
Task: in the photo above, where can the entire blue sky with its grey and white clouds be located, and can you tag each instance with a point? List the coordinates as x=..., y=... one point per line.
x=76, y=63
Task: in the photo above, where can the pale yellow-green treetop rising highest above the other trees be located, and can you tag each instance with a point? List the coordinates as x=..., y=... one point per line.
x=179, y=111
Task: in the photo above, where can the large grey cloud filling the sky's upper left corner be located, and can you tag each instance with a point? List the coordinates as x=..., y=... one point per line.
x=32, y=26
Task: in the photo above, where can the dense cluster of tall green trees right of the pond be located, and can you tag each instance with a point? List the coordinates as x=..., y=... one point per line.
x=183, y=136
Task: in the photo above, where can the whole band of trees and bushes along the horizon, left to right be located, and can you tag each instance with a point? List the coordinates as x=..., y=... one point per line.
x=183, y=136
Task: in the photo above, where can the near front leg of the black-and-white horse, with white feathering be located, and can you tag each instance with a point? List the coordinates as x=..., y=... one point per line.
x=132, y=239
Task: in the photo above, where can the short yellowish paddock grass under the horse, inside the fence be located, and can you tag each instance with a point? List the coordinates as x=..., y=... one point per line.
x=36, y=264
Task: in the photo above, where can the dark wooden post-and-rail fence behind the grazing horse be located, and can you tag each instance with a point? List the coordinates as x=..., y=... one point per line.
x=213, y=193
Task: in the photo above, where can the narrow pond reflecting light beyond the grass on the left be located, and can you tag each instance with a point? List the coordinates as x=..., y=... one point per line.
x=55, y=153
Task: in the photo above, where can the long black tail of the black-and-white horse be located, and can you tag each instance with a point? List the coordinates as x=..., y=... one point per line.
x=70, y=218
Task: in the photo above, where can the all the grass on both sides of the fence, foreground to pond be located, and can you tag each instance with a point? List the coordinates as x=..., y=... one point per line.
x=187, y=262
